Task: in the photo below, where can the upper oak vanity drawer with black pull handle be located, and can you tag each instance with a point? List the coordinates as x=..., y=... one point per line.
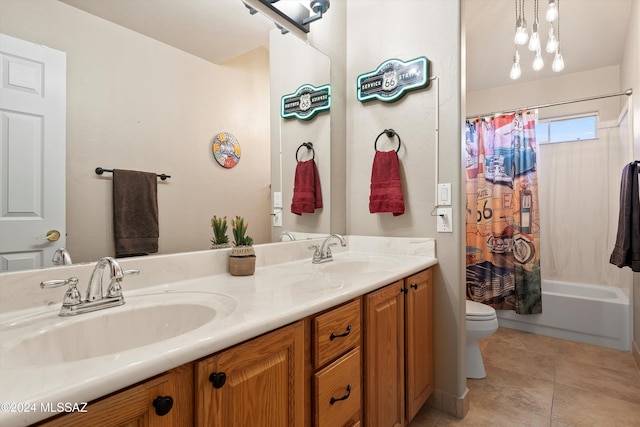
x=336, y=332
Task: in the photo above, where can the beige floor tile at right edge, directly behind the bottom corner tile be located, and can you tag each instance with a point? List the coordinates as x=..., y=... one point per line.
x=623, y=385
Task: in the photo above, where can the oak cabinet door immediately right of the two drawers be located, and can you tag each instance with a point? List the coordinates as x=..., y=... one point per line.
x=384, y=357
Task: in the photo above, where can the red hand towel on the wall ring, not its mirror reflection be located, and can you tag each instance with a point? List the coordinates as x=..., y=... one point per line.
x=386, y=187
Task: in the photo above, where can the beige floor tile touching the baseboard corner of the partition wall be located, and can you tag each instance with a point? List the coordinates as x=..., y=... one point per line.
x=518, y=390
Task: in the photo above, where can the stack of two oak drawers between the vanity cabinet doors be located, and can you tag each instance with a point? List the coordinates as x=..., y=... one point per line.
x=337, y=365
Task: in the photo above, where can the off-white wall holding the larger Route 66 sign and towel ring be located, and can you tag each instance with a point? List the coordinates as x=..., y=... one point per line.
x=404, y=29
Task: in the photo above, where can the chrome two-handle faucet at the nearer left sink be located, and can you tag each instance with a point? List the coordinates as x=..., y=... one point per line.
x=73, y=303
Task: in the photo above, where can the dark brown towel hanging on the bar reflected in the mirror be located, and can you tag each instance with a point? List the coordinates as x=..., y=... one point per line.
x=135, y=212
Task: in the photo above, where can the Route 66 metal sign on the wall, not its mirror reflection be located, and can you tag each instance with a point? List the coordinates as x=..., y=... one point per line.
x=392, y=79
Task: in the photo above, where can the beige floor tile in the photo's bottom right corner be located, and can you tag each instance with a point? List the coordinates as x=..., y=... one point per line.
x=577, y=407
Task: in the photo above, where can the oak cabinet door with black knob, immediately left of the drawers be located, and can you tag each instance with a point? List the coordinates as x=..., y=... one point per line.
x=257, y=383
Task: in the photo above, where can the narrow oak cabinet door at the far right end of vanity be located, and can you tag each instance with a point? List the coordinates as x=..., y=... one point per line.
x=419, y=341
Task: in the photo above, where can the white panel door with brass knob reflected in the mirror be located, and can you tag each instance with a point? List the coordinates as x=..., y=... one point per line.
x=32, y=153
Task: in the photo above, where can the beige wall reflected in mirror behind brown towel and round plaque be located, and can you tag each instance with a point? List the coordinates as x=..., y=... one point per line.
x=136, y=103
